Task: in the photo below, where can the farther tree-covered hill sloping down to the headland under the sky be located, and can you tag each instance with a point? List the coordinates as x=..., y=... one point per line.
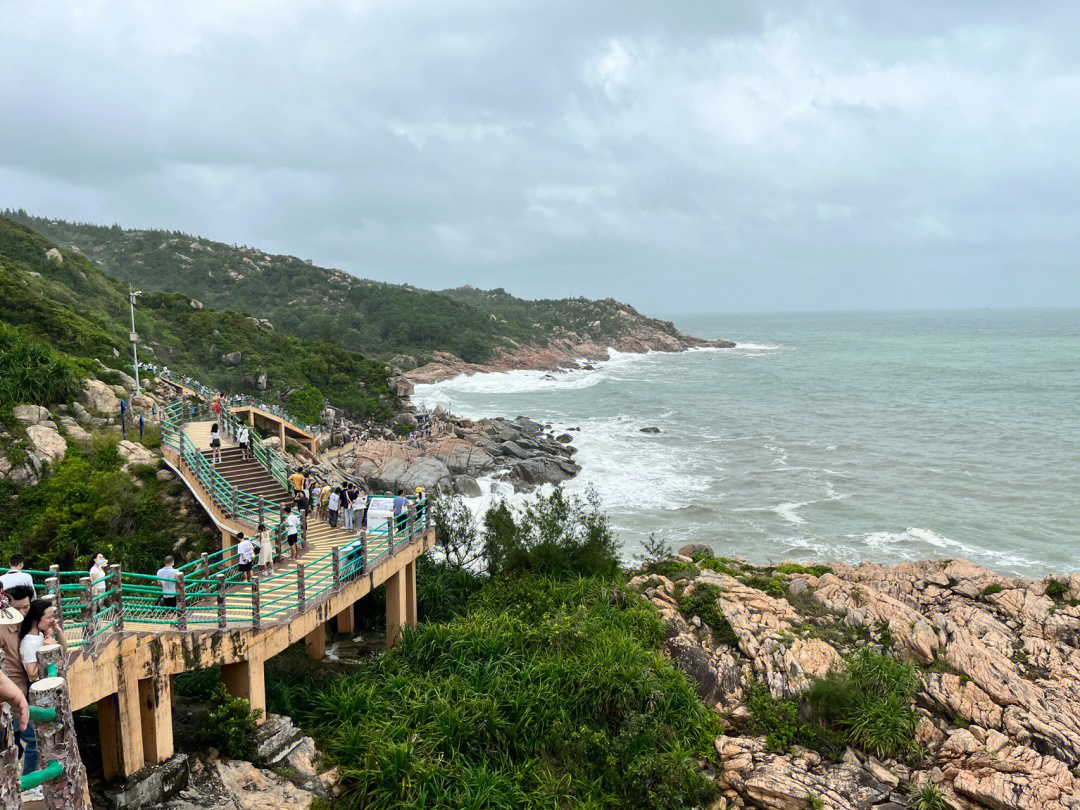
x=318, y=304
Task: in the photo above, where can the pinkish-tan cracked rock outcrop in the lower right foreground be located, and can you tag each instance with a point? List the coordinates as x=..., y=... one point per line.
x=997, y=707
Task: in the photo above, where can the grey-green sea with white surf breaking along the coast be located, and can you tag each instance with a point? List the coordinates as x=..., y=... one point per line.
x=850, y=437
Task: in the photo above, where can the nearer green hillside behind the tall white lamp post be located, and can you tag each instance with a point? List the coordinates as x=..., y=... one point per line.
x=76, y=308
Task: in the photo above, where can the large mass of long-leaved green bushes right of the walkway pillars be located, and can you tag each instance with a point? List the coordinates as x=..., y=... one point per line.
x=546, y=693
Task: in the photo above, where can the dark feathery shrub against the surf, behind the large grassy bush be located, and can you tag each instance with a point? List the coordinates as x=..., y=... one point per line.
x=553, y=535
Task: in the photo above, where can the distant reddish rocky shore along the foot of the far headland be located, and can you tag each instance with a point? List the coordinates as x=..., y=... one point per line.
x=563, y=354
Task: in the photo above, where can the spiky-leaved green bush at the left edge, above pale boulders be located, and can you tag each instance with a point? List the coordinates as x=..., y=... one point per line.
x=33, y=373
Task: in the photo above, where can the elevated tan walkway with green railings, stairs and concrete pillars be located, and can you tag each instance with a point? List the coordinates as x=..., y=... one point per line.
x=126, y=644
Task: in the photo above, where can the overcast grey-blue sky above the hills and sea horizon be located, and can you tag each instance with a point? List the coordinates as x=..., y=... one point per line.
x=709, y=156
